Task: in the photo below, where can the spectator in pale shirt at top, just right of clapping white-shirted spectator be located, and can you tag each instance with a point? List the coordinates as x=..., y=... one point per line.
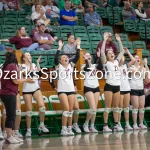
x=51, y=10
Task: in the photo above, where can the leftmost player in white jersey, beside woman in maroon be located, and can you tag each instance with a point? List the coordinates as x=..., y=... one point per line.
x=33, y=90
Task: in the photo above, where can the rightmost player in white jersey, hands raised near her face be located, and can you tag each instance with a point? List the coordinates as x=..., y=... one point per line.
x=137, y=91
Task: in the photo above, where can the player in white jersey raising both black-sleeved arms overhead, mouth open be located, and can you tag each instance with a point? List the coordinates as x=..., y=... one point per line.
x=65, y=89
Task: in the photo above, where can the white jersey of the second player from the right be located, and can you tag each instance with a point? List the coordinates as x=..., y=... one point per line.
x=125, y=85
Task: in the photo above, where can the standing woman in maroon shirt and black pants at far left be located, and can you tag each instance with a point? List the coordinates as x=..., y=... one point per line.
x=9, y=90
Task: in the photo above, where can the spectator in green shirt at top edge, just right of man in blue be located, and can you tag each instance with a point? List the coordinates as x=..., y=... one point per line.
x=77, y=5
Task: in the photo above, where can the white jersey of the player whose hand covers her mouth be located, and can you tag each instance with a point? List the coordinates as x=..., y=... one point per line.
x=91, y=79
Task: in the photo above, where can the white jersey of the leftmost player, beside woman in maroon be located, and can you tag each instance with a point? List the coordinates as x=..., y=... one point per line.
x=30, y=87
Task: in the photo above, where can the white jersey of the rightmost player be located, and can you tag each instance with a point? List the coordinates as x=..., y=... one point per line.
x=136, y=82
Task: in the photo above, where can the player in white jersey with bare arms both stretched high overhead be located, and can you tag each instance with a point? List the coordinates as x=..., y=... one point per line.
x=112, y=86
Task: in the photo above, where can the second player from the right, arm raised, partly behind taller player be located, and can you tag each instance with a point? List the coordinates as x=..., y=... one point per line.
x=125, y=90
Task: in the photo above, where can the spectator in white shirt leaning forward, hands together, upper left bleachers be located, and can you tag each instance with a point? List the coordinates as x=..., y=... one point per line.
x=40, y=14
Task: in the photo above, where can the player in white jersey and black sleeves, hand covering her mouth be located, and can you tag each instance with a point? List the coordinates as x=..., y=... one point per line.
x=91, y=90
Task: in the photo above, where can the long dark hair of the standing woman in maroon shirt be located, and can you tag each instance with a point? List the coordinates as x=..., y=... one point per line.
x=10, y=59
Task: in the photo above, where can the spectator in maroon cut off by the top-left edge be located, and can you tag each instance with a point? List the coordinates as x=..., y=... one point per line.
x=13, y=4
